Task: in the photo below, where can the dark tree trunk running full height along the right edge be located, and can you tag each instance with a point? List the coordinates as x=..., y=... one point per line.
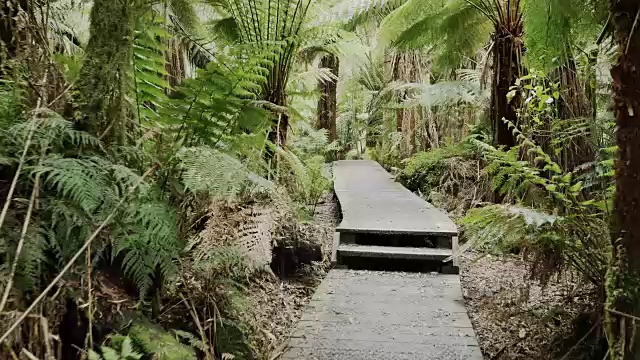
x=623, y=278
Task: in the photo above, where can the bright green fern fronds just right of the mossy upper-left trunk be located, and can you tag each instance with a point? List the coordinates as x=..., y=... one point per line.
x=218, y=108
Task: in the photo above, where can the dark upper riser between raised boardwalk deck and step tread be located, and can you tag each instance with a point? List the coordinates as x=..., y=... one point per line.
x=428, y=241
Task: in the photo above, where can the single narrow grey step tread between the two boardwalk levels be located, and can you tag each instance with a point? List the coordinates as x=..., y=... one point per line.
x=393, y=252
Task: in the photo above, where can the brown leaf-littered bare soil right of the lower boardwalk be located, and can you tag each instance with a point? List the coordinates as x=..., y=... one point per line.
x=514, y=317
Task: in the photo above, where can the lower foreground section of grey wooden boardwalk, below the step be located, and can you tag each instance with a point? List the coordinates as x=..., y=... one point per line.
x=366, y=315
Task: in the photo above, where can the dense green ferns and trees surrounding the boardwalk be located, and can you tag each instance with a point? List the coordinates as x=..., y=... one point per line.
x=163, y=163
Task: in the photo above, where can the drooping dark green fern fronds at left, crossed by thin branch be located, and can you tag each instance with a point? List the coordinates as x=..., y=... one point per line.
x=79, y=189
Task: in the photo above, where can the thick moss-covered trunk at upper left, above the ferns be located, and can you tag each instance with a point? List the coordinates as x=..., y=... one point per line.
x=107, y=69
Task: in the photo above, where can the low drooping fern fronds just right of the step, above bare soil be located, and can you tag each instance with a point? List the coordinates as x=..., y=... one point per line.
x=575, y=242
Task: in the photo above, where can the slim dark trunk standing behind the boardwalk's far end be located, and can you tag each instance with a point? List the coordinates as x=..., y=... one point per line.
x=327, y=104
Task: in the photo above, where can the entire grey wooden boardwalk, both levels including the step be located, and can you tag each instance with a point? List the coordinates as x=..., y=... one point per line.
x=380, y=315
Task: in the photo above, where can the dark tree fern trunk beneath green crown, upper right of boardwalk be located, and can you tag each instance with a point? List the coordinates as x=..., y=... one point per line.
x=507, y=53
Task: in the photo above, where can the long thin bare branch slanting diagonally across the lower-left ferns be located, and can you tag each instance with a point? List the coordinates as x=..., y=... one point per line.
x=75, y=257
